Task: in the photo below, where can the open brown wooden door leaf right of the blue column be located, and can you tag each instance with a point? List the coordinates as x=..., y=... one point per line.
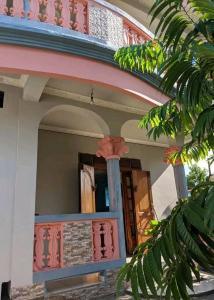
x=143, y=203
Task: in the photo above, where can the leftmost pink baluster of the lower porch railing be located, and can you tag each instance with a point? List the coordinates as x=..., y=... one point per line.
x=39, y=248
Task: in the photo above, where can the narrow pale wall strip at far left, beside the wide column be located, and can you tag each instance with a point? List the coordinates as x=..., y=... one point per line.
x=8, y=138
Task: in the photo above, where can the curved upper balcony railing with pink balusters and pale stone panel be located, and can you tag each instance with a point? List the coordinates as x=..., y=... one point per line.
x=92, y=17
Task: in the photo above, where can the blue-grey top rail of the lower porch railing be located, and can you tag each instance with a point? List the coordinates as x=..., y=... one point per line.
x=75, y=217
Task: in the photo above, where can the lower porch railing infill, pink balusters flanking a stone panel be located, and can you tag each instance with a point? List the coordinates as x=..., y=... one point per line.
x=65, y=244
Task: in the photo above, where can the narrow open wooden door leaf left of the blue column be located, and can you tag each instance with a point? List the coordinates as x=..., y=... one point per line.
x=87, y=190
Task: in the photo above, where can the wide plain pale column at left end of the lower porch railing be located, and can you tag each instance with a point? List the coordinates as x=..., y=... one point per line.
x=25, y=194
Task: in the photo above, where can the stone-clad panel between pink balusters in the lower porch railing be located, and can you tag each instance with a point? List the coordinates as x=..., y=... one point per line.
x=77, y=246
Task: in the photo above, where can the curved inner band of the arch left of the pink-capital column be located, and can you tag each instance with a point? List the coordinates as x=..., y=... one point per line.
x=87, y=114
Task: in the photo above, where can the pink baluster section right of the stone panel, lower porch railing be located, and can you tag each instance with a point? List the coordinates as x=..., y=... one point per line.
x=105, y=240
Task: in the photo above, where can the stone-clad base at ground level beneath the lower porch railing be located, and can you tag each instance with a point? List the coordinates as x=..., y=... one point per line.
x=105, y=287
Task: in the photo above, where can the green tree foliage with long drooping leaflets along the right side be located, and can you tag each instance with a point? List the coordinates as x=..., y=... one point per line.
x=182, y=55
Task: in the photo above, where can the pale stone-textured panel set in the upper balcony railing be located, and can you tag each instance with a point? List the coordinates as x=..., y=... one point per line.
x=106, y=25
